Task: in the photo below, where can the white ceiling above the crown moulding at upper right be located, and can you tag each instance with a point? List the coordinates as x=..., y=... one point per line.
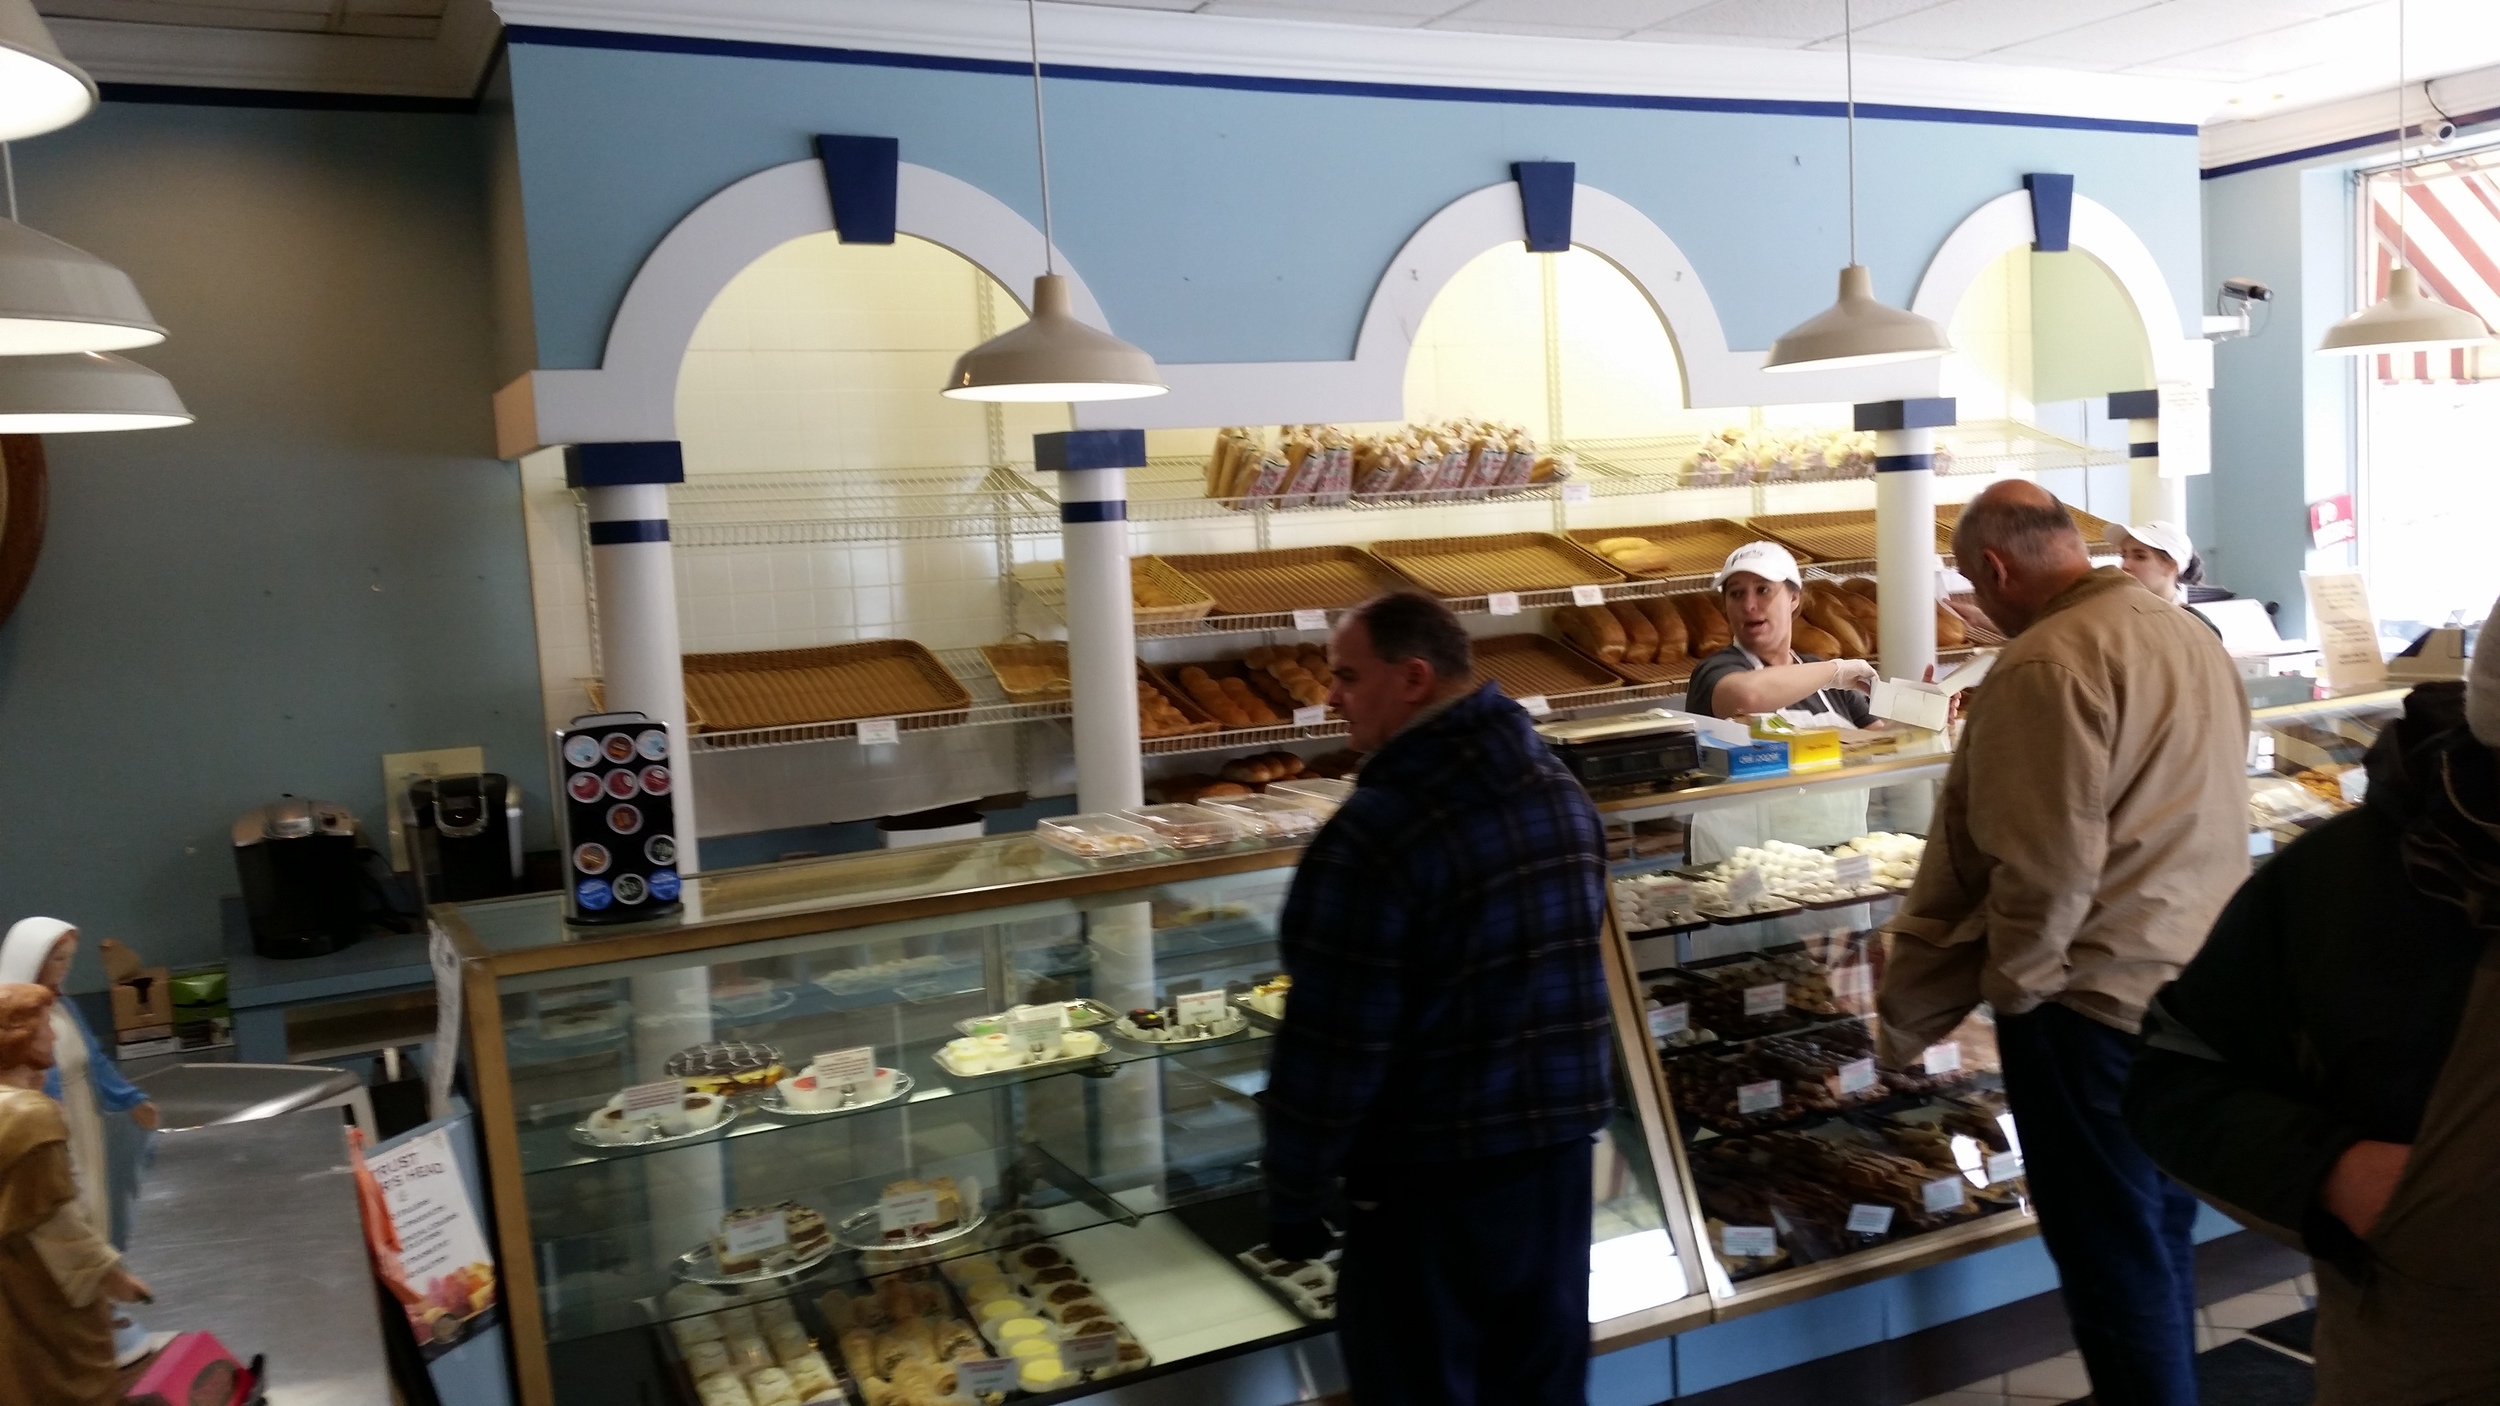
x=2264, y=54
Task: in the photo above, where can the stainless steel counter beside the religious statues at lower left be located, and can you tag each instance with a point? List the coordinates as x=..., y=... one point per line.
x=251, y=1232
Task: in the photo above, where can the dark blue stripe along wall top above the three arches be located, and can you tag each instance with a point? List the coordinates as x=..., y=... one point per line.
x=1321, y=86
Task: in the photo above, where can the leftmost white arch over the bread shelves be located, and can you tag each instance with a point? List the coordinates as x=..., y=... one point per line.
x=634, y=394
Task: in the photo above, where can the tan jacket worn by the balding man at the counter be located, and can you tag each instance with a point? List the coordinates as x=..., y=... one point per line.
x=2091, y=827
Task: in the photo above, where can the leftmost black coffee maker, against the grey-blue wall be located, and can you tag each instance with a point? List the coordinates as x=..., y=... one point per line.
x=304, y=877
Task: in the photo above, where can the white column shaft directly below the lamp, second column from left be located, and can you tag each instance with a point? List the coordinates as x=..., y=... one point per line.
x=1101, y=637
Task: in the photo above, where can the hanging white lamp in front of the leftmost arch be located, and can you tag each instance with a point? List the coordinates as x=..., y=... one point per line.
x=1054, y=357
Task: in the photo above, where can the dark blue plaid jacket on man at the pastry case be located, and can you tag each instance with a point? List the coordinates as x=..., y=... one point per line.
x=1444, y=942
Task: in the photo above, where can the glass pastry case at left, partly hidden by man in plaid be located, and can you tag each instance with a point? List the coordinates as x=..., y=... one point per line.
x=924, y=1125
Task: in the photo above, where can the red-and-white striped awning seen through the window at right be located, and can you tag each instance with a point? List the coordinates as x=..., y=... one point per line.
x=2451, y=236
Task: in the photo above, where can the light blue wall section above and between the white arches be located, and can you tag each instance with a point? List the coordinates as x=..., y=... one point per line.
x=1224, y=224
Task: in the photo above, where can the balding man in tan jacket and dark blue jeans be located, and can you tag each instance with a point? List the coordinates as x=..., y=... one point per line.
x=2089, y=834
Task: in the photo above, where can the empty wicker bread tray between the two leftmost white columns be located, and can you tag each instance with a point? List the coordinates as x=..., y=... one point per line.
x=779, y=689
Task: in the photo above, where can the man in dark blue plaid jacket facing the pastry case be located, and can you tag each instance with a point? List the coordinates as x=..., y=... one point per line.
x=1446, y=1047
